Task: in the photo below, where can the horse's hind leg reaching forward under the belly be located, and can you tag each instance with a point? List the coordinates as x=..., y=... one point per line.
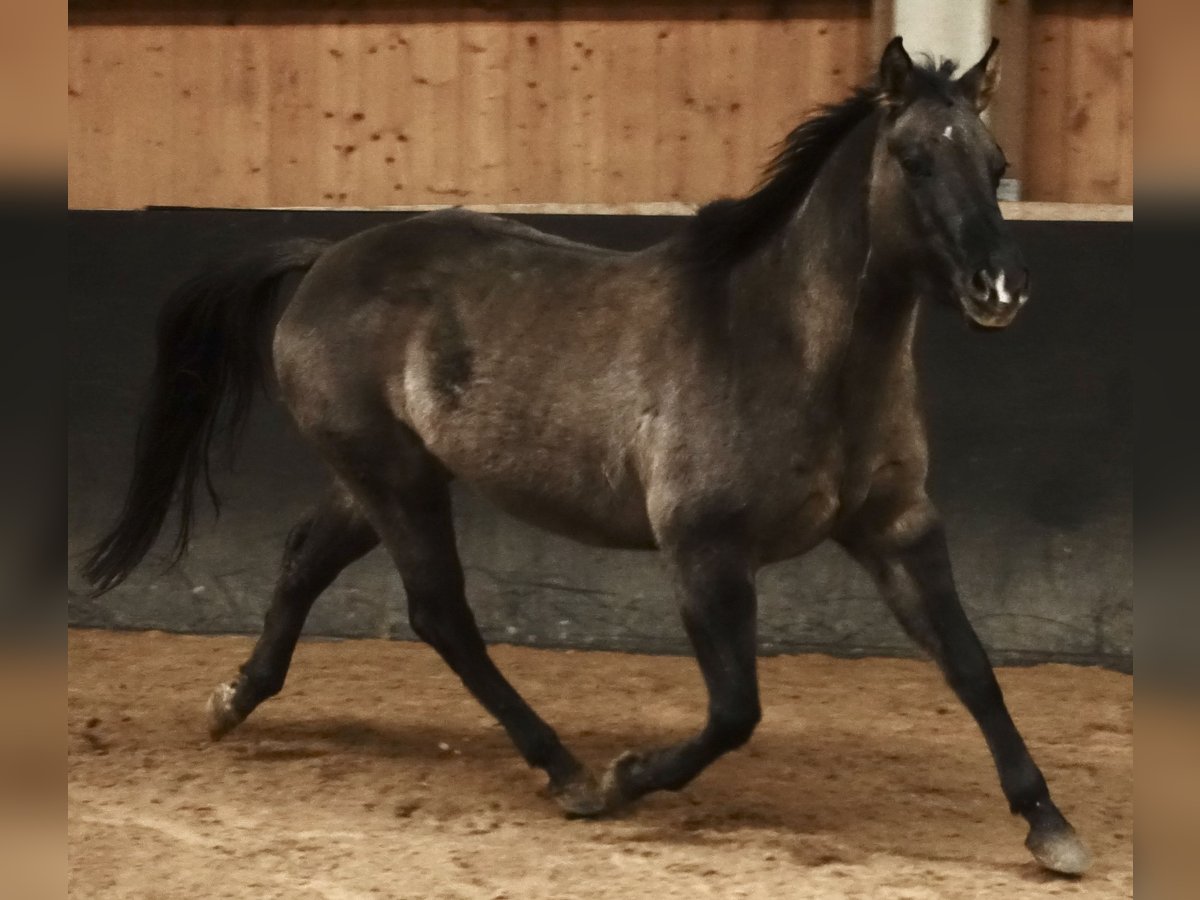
x=415, y=518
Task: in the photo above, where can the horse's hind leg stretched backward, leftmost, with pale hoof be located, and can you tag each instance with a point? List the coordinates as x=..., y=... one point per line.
x=317, y=550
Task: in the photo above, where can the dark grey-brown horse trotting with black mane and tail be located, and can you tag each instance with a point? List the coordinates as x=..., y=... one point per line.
x=730, y=398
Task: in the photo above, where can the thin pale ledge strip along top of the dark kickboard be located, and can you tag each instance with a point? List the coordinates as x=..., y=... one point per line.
x=1017, y=212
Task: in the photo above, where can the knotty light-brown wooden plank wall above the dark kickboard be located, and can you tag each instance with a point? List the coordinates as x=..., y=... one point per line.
x=310, y=103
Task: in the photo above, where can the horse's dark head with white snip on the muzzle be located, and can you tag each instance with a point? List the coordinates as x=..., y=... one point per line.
x=934, y=191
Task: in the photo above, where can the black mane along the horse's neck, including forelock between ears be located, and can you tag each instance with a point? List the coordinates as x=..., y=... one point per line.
x=727, y=231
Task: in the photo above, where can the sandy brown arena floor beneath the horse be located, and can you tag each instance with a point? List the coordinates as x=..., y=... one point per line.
x=376, y=776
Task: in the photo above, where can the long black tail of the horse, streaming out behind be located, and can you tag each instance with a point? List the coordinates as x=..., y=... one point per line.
x=212, y=347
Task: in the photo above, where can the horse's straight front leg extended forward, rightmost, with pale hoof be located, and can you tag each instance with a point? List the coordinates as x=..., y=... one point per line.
x=907, y=554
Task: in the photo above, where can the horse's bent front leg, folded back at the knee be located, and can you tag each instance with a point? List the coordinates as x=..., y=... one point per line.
x=718, y=601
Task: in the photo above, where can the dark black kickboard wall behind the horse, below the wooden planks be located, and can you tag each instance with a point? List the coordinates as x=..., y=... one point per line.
x=1031, y=439
